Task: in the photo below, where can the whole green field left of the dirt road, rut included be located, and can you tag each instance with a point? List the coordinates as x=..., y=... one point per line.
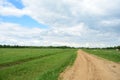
x=34, y=64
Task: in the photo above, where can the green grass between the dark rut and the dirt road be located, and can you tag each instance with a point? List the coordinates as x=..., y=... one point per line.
x=47, y=68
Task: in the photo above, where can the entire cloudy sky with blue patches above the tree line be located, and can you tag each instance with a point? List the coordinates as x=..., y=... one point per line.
x=75, y=23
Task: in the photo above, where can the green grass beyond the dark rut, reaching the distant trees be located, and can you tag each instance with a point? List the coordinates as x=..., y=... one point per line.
x=15, y=54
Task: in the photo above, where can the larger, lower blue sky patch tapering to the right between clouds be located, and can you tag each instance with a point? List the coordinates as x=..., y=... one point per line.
x=24, y=21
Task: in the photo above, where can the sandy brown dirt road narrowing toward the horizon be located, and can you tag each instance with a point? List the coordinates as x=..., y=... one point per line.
x=89, y=67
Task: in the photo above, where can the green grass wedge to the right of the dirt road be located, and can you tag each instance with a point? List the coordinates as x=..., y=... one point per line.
x=109, y=54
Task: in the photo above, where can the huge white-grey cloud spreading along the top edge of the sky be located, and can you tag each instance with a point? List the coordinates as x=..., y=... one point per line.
x=69, y=12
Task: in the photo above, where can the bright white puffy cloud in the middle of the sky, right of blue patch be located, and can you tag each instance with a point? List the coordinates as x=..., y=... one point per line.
x=77, y=30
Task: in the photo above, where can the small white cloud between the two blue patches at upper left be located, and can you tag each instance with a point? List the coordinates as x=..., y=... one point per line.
x=8, y=9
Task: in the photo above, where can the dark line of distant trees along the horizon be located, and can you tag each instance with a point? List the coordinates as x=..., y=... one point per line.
x=63, y=47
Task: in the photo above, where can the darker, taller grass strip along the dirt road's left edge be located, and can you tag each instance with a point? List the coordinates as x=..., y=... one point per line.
x=54, y=73
